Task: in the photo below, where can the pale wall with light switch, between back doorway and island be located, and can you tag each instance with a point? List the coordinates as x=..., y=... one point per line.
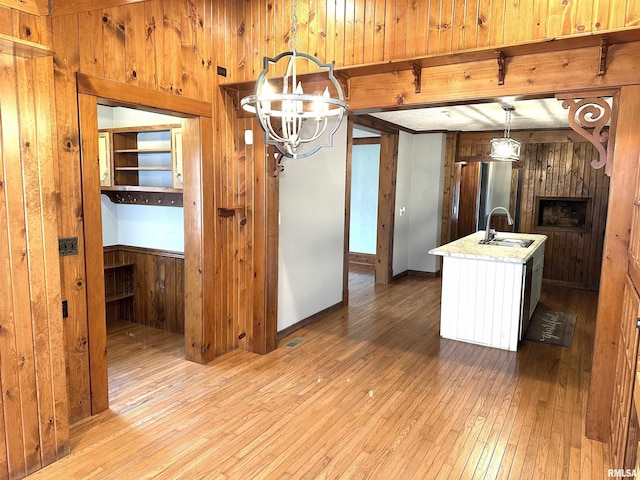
x=418, y=202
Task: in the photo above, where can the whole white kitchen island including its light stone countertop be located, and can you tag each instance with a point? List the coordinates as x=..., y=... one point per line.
x=489, y=292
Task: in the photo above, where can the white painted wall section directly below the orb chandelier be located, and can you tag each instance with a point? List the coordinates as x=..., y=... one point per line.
x=311, y=237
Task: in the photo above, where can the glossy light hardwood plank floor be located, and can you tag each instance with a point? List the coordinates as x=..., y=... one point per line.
x=372, y=392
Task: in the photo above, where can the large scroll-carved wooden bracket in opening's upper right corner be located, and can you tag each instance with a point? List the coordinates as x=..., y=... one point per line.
x=588, y=117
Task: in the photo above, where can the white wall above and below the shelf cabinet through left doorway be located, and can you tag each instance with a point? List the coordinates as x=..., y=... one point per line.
x=139, y=225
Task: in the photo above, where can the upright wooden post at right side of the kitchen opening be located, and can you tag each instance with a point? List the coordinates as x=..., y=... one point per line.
x=614, y=264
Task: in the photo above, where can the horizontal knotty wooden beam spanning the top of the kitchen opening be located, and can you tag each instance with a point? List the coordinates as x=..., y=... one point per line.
x=530, y=76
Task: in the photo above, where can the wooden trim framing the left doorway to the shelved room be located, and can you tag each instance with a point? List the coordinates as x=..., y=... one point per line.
x=197, y=254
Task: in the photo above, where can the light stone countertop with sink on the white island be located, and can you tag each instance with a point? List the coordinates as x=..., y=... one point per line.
x=468, y=247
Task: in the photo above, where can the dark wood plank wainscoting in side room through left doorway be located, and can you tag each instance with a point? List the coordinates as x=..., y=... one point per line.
x=158, y=281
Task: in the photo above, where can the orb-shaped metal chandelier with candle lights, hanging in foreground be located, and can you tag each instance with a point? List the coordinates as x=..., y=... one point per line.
x=298, y=124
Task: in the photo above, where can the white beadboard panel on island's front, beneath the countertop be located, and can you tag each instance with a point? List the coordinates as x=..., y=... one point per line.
x=481, y=301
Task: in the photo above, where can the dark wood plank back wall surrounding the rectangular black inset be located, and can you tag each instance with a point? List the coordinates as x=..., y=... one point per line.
x=557, y=164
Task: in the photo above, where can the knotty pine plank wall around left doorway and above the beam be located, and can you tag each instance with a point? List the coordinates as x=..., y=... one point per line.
x=175, y=47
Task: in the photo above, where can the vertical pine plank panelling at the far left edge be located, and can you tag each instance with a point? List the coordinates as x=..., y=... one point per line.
x=34, y=417
